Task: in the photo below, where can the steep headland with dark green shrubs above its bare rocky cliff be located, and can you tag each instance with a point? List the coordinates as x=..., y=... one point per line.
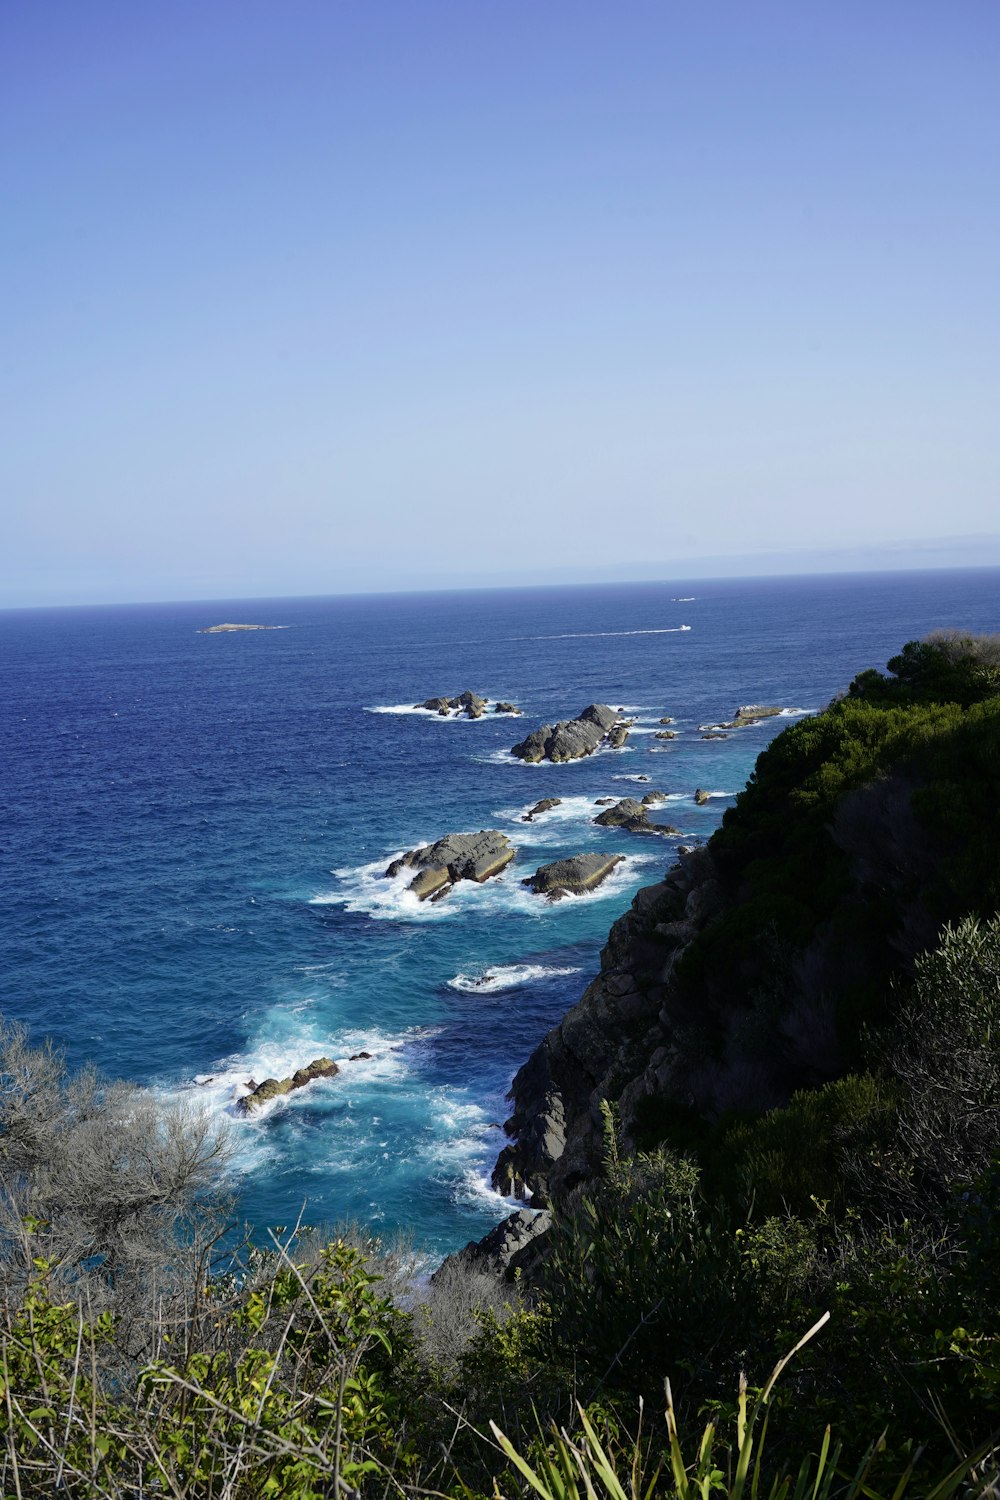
x=770, y=959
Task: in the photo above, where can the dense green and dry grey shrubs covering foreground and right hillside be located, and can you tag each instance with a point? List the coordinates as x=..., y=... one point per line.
x=143, y=1354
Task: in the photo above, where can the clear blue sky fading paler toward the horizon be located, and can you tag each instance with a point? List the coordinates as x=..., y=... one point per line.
x=310, y=296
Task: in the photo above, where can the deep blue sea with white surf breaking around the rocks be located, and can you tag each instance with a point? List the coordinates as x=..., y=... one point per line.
x=194, y=830
